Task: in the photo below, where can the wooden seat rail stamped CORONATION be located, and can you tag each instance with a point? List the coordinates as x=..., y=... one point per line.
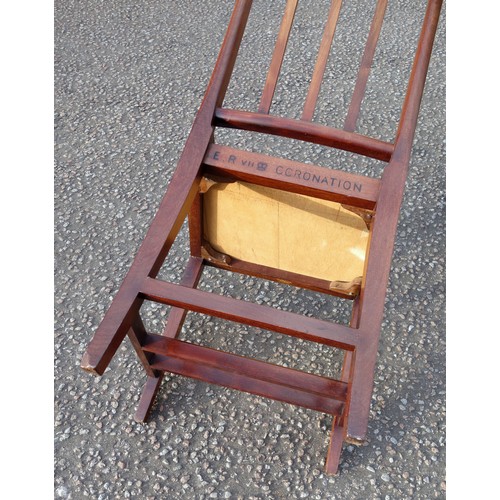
x=293, y=176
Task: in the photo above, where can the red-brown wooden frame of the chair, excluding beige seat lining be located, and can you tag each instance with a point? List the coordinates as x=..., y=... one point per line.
x=347, y=399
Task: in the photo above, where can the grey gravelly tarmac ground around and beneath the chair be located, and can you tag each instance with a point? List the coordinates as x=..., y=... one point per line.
x=129, y=77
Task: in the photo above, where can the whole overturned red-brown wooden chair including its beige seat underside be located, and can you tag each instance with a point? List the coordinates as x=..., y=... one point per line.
x=348, y=221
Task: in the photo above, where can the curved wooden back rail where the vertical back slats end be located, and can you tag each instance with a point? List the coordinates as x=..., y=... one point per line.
x=304, y=131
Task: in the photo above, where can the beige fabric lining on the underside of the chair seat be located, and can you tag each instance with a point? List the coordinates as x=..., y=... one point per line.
x=284, y=230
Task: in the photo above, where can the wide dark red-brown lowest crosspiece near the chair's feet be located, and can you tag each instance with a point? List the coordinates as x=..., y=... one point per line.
x=248, y=375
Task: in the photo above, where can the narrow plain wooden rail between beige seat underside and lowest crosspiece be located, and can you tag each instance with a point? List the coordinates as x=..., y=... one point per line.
x=252, y=314
